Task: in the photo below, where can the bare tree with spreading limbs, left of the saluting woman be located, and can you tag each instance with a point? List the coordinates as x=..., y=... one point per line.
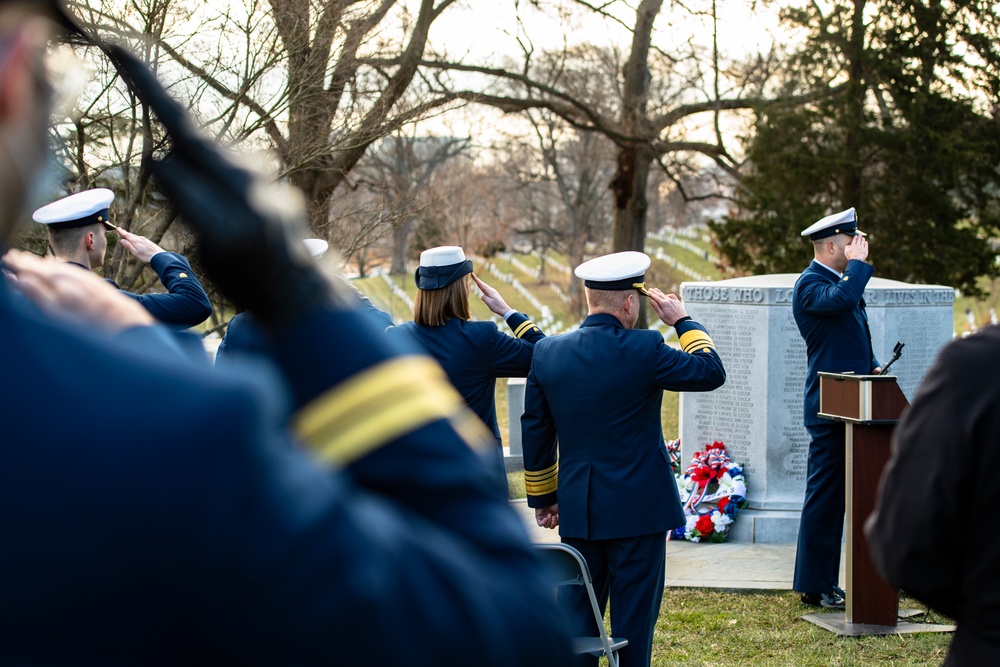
x=290, y=76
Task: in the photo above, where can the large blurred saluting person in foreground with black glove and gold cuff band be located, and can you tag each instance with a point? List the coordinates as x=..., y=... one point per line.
x=200, y=532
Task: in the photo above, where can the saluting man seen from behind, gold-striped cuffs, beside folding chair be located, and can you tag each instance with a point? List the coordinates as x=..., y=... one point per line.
x=610, y=489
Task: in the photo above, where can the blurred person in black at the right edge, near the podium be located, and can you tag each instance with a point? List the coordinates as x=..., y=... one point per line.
x=944, y=463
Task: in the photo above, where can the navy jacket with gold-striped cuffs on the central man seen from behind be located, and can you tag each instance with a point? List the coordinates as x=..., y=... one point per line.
x=599, y=389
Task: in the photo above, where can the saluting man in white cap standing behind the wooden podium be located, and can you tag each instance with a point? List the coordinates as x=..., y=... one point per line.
x=829, y=310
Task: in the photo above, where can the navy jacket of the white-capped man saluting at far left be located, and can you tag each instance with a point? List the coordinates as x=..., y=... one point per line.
x=185, y=303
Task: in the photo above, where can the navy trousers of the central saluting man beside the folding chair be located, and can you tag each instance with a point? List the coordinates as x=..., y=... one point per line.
x=630, y=570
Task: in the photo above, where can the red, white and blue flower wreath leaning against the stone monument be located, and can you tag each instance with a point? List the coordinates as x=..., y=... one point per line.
x=712, y=490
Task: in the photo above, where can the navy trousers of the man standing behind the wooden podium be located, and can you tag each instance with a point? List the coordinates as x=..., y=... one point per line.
x=821, y=530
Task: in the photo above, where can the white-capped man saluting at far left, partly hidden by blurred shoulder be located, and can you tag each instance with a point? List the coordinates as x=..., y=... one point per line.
x=76, y=227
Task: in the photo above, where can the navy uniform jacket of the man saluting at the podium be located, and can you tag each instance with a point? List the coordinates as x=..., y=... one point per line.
x=830, y=314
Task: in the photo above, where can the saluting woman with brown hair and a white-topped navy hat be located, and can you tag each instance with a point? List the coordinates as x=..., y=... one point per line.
x=473, y=354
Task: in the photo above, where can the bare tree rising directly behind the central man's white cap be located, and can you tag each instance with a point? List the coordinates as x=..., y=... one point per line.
x=659, y=95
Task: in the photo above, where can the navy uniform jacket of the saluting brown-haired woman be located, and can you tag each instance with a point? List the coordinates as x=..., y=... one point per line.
x=475, y=354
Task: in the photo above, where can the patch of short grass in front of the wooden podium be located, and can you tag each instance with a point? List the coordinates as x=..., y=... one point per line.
x=714, y=628
